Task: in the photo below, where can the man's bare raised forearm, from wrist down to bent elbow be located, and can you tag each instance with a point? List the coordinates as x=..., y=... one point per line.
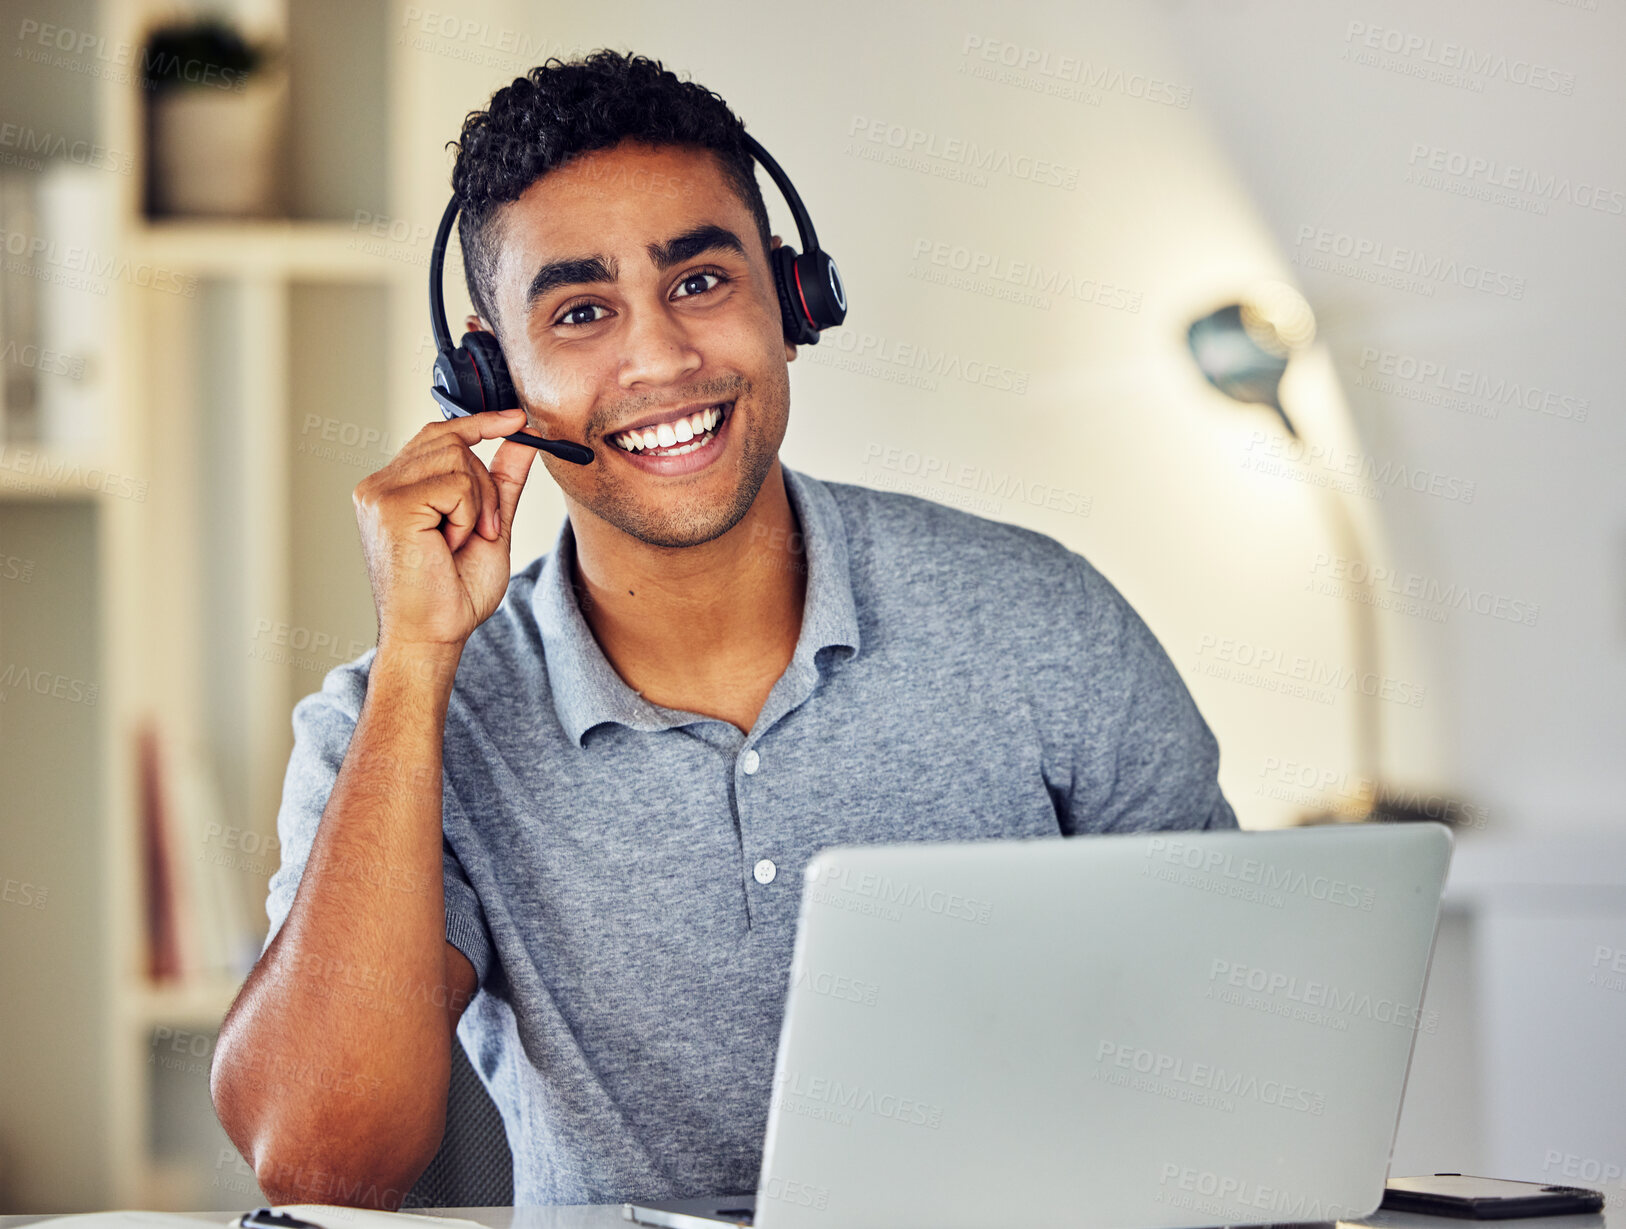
x=337, y=1054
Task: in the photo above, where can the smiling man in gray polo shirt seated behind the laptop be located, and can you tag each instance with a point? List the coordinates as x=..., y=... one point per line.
x=572, y=807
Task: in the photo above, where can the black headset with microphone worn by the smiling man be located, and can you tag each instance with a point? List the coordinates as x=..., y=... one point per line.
x=474, y=376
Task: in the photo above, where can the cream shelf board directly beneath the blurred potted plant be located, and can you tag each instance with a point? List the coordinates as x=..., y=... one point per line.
x=321, y=251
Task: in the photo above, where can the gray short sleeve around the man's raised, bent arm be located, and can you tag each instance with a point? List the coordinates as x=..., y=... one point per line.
x=324, y=724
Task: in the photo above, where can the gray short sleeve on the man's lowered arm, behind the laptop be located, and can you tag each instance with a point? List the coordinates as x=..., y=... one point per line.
x=1149, y=760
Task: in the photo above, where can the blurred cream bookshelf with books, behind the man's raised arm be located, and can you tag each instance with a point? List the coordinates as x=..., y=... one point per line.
x=178, y=567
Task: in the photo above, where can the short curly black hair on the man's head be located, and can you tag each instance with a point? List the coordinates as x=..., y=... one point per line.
x=562, y=110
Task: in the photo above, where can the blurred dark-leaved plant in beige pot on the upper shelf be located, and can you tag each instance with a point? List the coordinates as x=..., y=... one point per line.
x=217, y=111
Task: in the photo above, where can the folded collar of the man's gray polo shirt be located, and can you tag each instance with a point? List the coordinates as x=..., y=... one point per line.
x=588, y=690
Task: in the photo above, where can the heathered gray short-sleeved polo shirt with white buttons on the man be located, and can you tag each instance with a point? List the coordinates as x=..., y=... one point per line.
x=625, y=877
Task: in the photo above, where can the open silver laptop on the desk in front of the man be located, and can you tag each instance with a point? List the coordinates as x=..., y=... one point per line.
x=1103, y=1033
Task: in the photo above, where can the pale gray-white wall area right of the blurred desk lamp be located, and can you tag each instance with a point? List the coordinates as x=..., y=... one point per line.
x=1534, y=716
